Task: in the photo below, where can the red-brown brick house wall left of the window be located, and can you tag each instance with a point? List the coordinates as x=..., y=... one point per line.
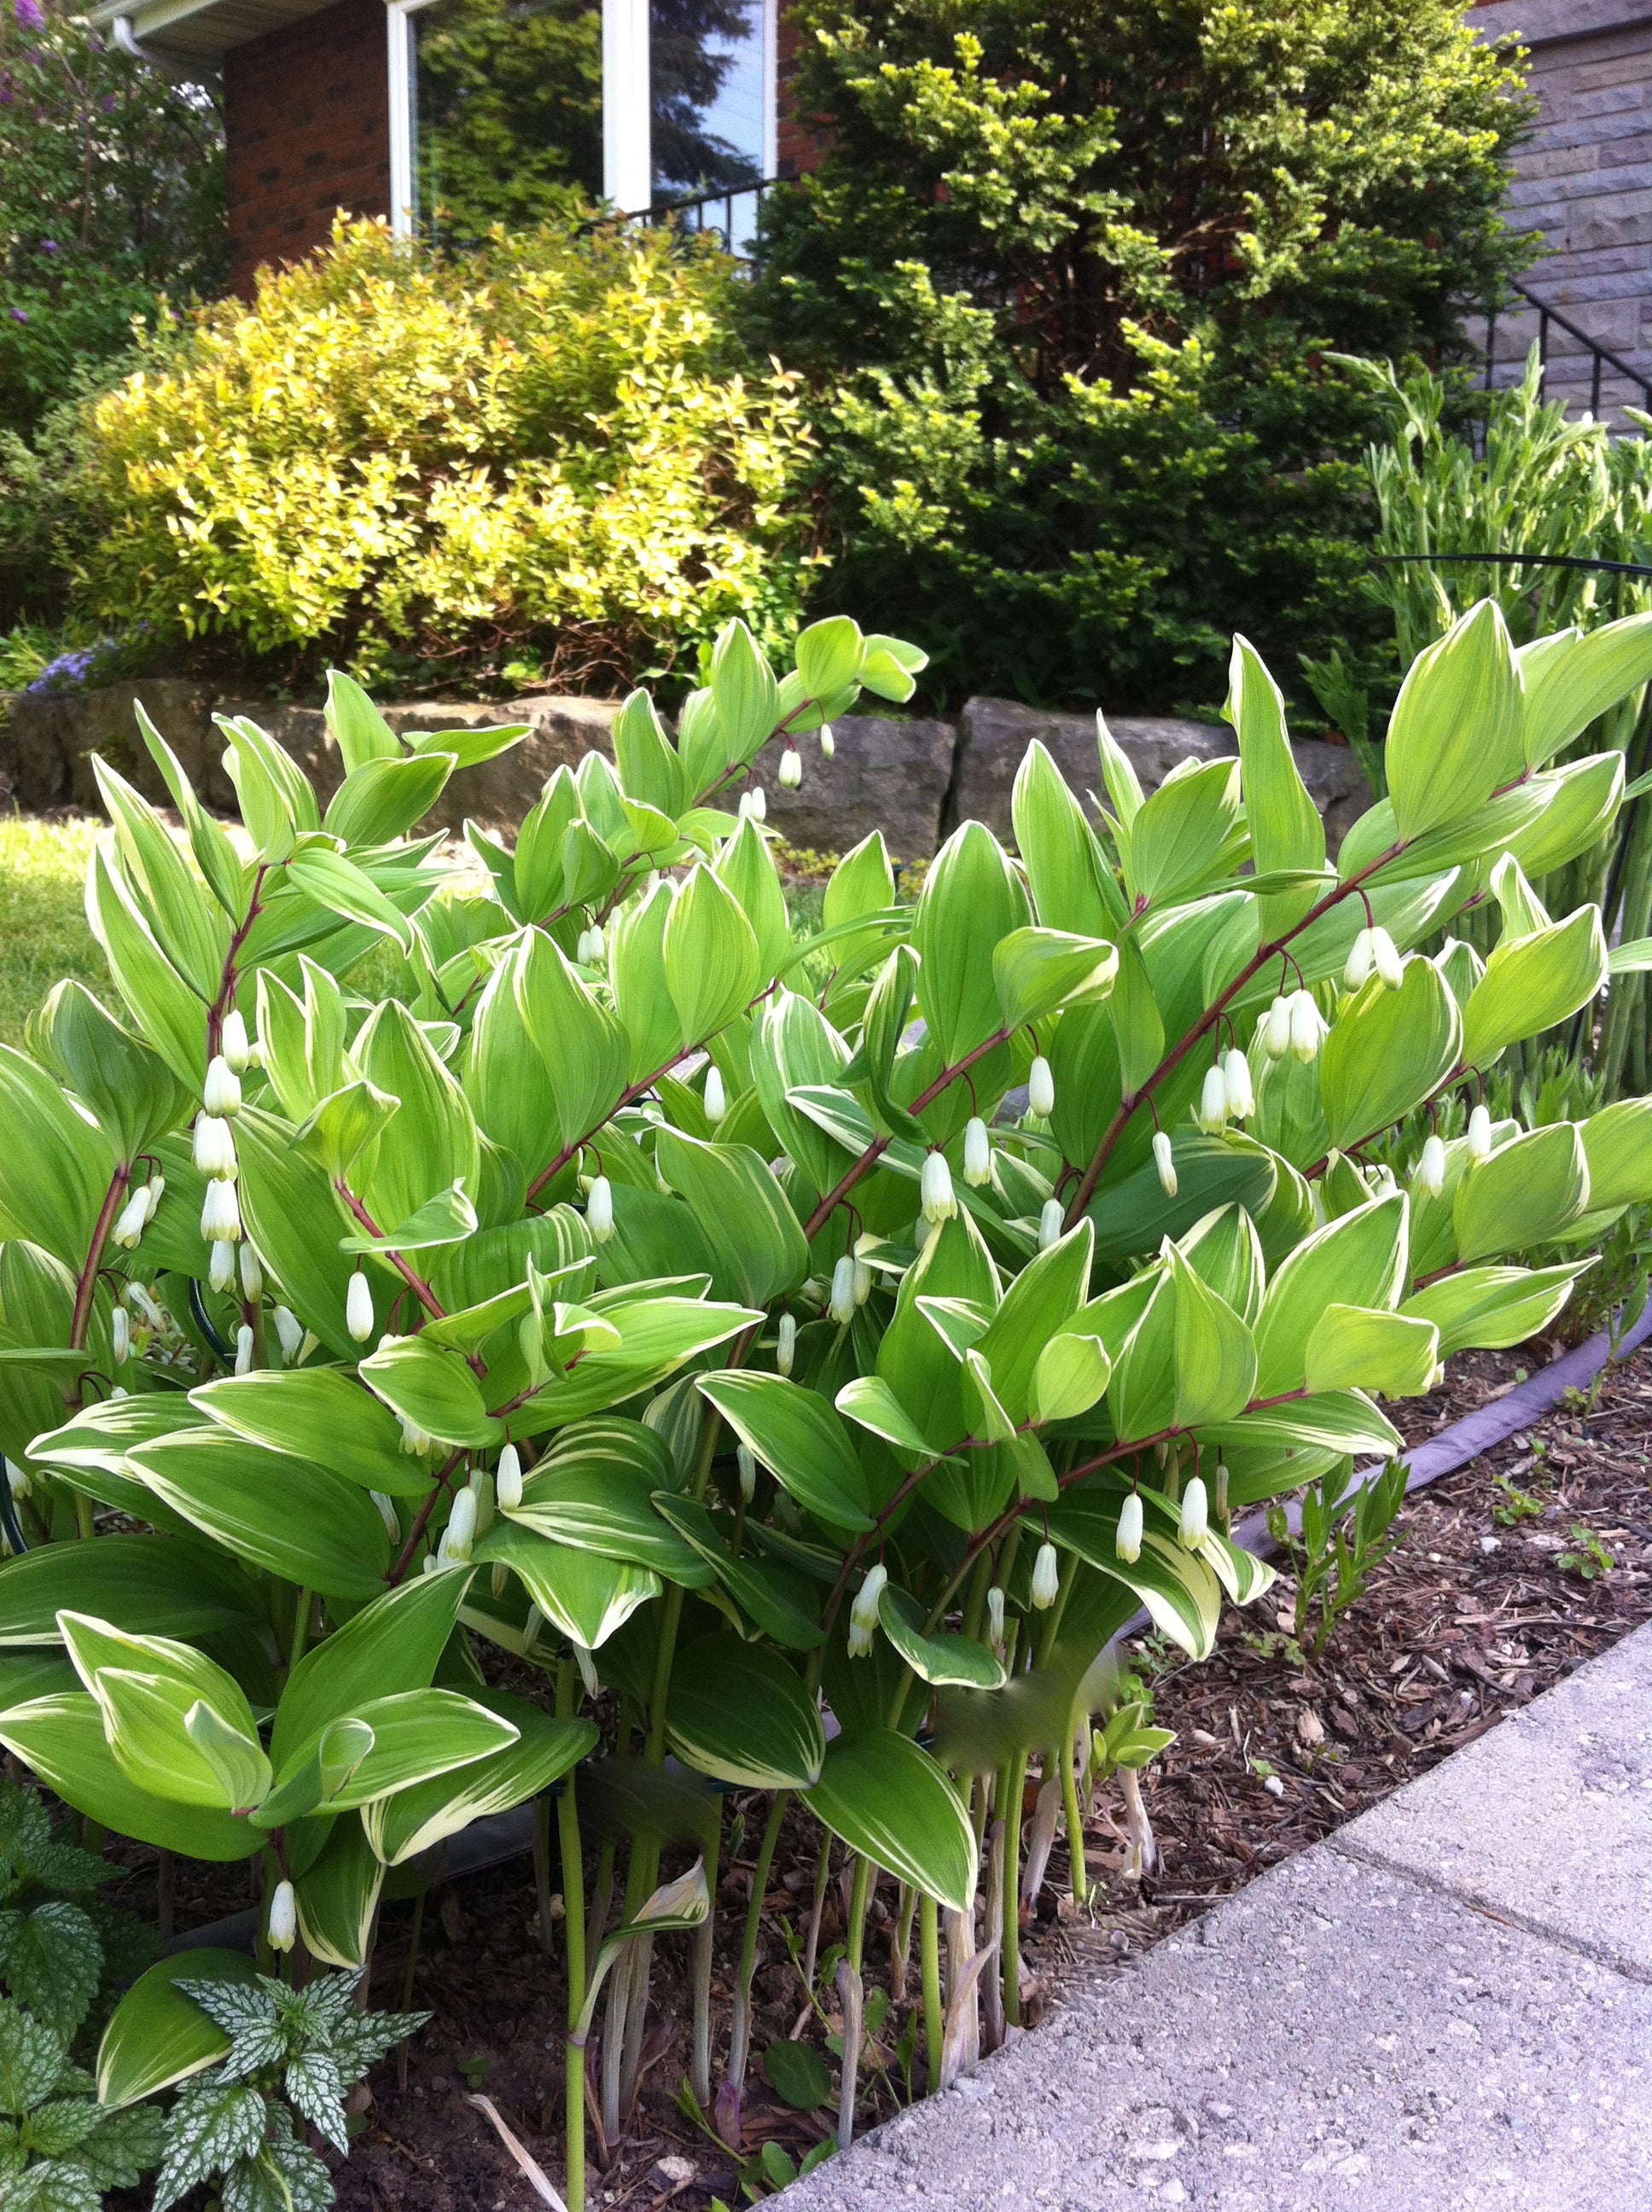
x=306, y=118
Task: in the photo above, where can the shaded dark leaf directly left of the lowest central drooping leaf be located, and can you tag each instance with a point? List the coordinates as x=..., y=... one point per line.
x=740, y=1713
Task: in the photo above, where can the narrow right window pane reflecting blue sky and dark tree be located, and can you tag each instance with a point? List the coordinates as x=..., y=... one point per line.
x=709, y=94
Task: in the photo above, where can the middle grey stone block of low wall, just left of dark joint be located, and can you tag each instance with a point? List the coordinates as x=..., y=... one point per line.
x=886, y=775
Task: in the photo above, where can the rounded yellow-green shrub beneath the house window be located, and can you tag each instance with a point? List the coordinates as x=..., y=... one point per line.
x=550, y=446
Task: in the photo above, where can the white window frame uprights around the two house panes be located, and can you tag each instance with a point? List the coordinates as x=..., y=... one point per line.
x=627, y=136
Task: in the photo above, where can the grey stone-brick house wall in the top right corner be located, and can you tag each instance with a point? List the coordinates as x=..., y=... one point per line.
x=1585, y=180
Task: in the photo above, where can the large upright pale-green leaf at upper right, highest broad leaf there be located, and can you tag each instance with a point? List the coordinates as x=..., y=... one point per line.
x=1456, y=727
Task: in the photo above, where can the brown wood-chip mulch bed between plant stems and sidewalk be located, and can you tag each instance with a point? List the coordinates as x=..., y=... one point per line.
x=1472, y=1616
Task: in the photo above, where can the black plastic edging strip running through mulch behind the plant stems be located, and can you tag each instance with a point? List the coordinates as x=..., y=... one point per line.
x=510, y=1835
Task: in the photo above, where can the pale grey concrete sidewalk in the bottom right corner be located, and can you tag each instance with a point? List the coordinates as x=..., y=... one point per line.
x=1450, y=2005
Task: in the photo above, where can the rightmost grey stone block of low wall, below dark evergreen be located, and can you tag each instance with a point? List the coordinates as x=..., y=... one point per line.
x=996, y=733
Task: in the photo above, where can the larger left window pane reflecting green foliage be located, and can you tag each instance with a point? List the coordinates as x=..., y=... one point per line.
x=508, y=112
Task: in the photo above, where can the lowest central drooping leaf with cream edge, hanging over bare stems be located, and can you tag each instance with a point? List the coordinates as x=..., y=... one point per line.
x=892, y=1804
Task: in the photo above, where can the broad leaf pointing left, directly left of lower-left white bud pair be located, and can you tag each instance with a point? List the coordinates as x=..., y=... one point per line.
x=282, y=1514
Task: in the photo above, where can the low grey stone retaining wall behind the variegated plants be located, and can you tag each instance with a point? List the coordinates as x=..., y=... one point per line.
x=912, y=780
